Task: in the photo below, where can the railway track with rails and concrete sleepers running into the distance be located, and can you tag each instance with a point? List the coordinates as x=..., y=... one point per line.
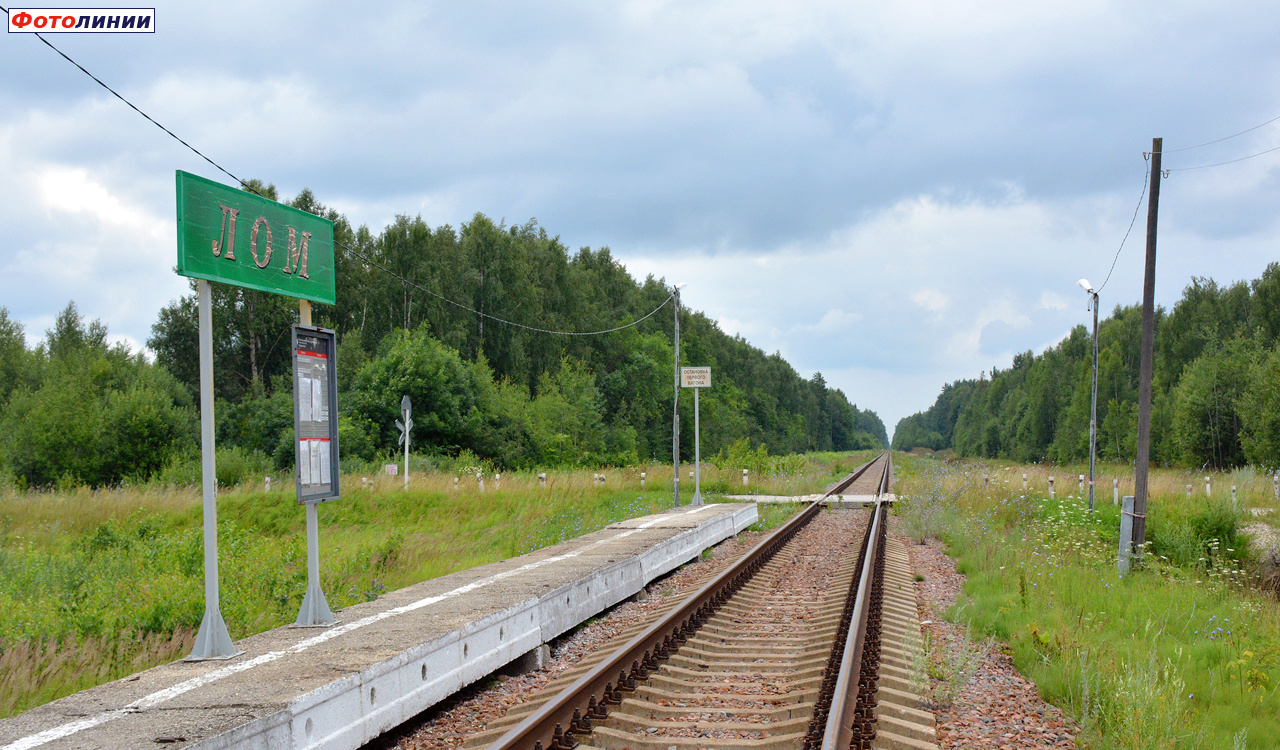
x=804, y=643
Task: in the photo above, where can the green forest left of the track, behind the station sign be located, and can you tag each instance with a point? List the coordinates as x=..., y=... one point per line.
x=77, y=411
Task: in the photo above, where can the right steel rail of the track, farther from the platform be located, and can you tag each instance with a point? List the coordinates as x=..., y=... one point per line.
x=849, y=720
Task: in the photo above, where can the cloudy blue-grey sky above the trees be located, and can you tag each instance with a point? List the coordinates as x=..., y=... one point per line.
x=894, y=194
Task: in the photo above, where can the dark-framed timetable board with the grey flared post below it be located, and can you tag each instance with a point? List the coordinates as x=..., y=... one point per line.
x=316, y=424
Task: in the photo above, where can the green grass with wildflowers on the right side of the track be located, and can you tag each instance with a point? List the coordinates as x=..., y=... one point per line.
x=1183, y=653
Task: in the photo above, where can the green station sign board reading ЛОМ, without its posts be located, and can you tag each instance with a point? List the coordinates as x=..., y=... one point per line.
x=235, y=237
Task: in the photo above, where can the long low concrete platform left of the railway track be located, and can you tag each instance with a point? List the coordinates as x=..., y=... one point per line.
x=385, y=661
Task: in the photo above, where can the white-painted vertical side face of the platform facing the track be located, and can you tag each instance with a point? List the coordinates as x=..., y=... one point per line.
x=350, y=712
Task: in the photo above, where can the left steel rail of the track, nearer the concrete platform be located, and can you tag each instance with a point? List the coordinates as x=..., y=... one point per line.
x=572, y=712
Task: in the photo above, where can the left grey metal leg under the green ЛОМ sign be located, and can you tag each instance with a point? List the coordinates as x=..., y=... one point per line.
x=213, y=642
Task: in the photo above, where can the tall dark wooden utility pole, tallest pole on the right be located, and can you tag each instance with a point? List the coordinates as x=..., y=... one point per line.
x=1149, y=344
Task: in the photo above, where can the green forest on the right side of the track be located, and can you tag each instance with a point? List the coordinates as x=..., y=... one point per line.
x=1215, y=392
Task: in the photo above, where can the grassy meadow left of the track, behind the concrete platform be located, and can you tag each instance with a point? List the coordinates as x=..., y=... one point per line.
x=97, y=586
